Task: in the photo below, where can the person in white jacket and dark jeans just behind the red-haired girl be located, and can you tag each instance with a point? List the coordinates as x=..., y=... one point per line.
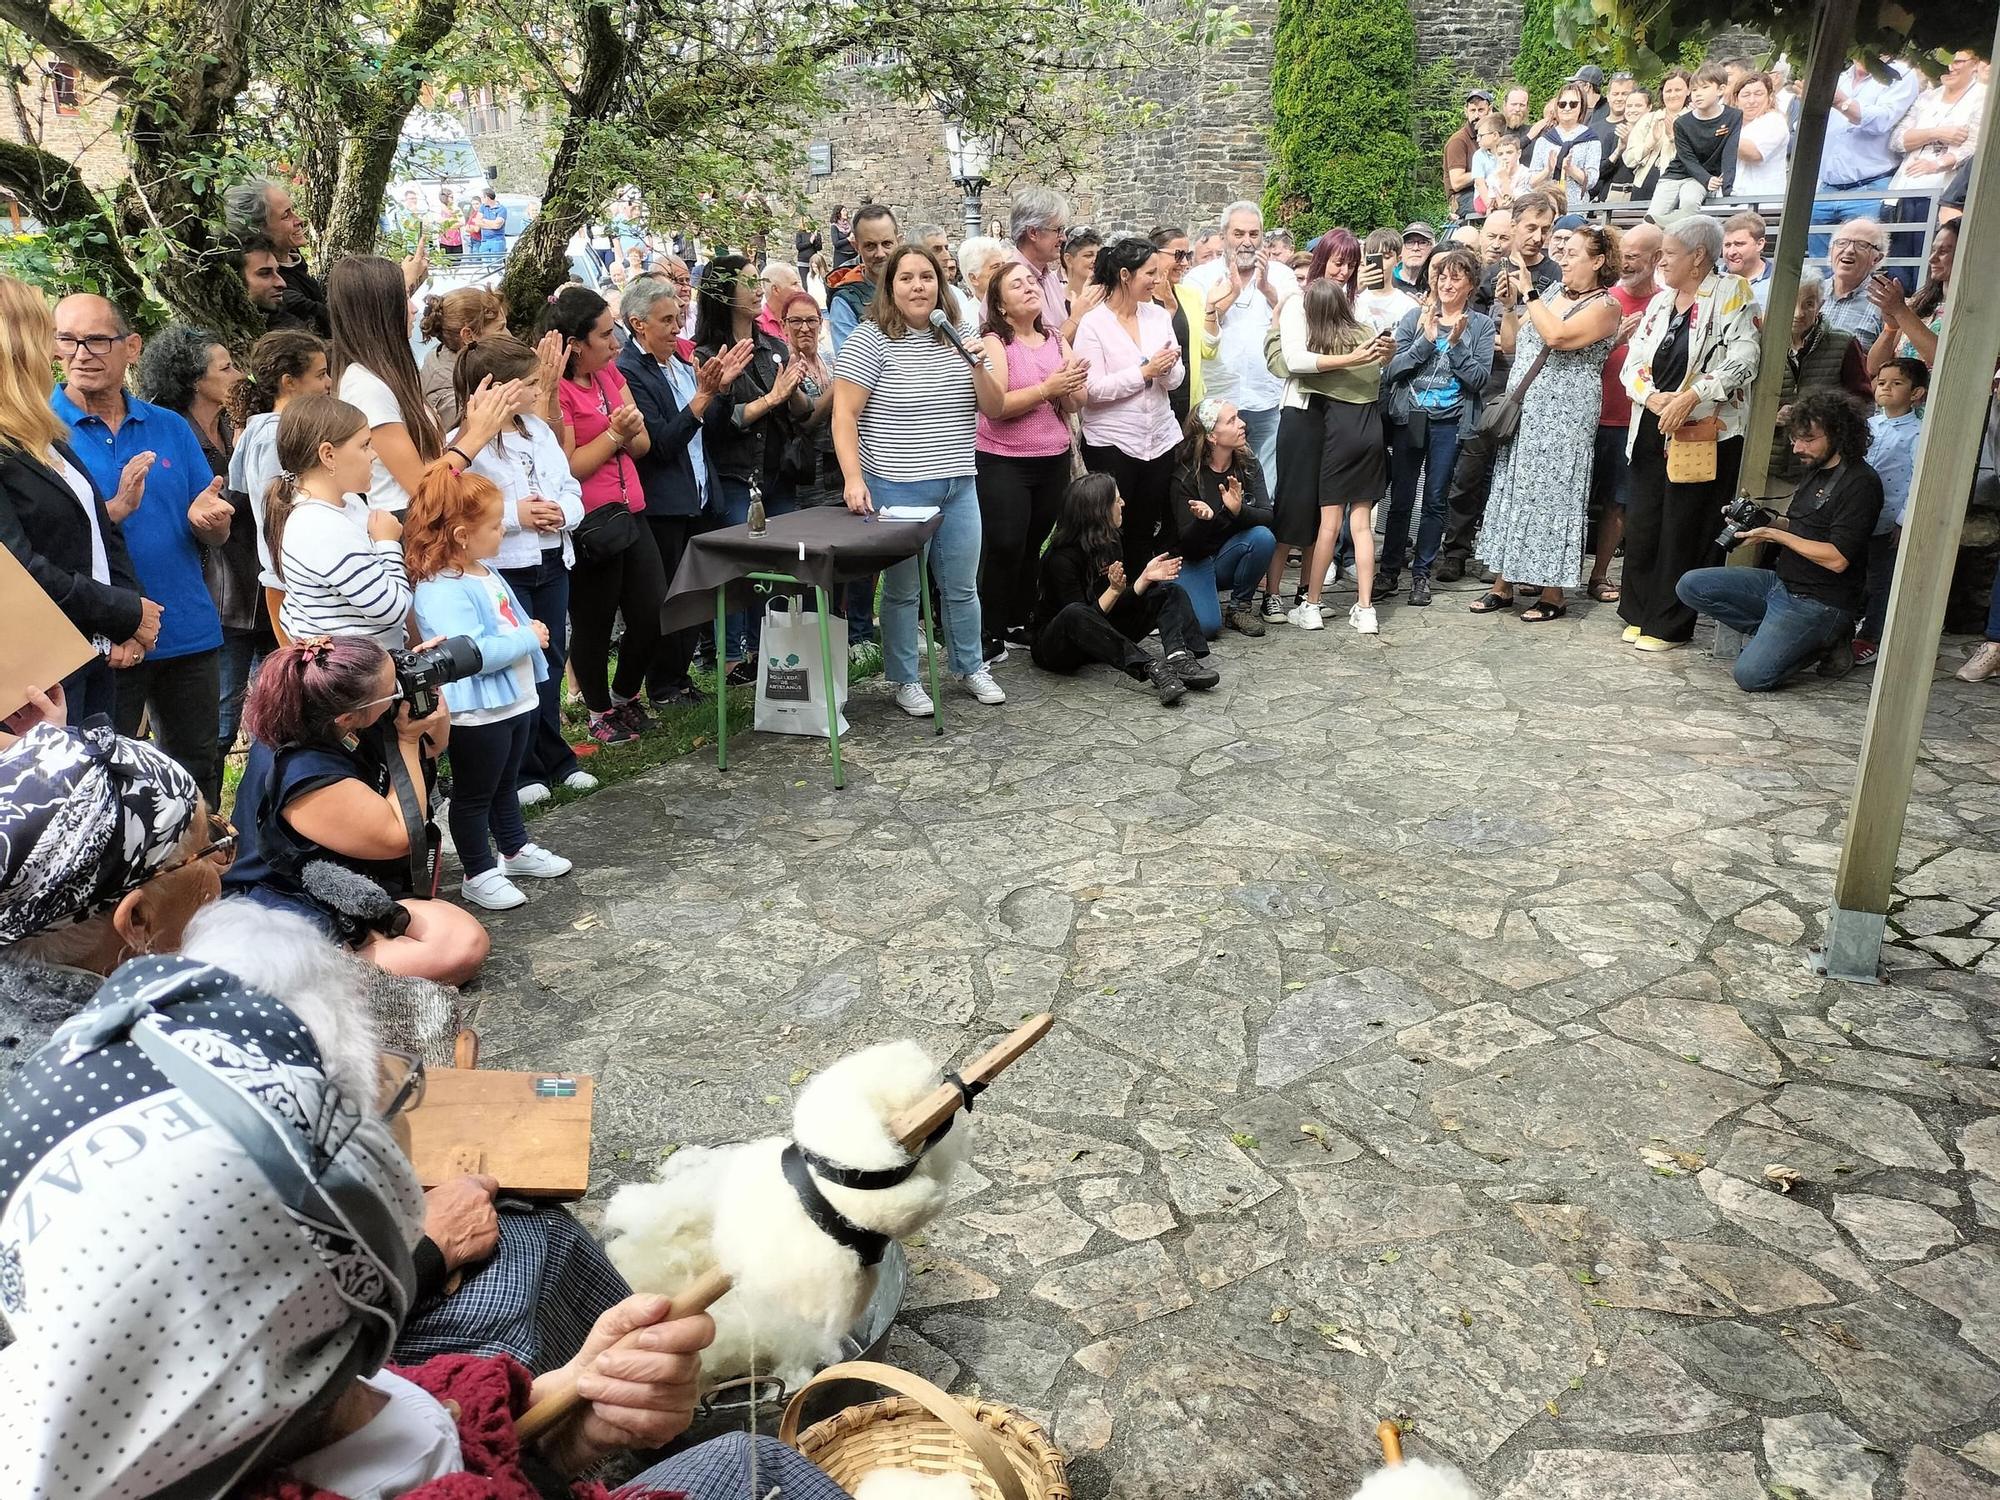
x=543, y=503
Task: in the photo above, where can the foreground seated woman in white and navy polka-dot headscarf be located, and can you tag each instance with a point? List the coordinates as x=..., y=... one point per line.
x=209, y=1267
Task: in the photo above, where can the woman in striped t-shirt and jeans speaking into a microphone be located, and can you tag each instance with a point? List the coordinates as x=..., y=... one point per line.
x=905, y=423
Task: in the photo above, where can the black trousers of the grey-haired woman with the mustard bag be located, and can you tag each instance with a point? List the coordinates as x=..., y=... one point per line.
x=1671, y=529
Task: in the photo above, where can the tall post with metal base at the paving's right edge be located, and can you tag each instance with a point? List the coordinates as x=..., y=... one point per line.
x=1947, y=461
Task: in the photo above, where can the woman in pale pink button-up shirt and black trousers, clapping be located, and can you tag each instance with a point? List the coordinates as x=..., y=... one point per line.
x=1129, y=423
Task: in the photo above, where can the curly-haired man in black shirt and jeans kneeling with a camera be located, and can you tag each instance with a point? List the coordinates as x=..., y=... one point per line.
x=1803, y=609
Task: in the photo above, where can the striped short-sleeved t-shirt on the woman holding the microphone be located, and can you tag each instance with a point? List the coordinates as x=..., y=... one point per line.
x=921, y=419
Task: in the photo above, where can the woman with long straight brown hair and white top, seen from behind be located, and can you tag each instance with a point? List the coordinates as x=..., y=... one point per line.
x=377, y=373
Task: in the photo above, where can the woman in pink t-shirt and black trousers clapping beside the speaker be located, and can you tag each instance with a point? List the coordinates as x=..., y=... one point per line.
x=1023, y=455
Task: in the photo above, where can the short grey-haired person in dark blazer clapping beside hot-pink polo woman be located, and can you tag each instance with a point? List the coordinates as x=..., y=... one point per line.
x=679, y=403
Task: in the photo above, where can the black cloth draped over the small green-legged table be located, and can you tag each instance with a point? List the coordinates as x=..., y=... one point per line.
x=819, y=547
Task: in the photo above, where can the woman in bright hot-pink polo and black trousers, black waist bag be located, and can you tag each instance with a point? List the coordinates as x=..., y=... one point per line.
x=617, y=561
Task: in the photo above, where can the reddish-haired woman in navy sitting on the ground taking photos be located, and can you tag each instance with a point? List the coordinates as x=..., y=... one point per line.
x=323, y=831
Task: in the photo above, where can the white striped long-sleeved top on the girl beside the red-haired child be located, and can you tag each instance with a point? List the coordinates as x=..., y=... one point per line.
x=341, y=583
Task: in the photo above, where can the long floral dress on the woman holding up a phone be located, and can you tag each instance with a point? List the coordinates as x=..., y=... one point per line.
x=1535, y=515
